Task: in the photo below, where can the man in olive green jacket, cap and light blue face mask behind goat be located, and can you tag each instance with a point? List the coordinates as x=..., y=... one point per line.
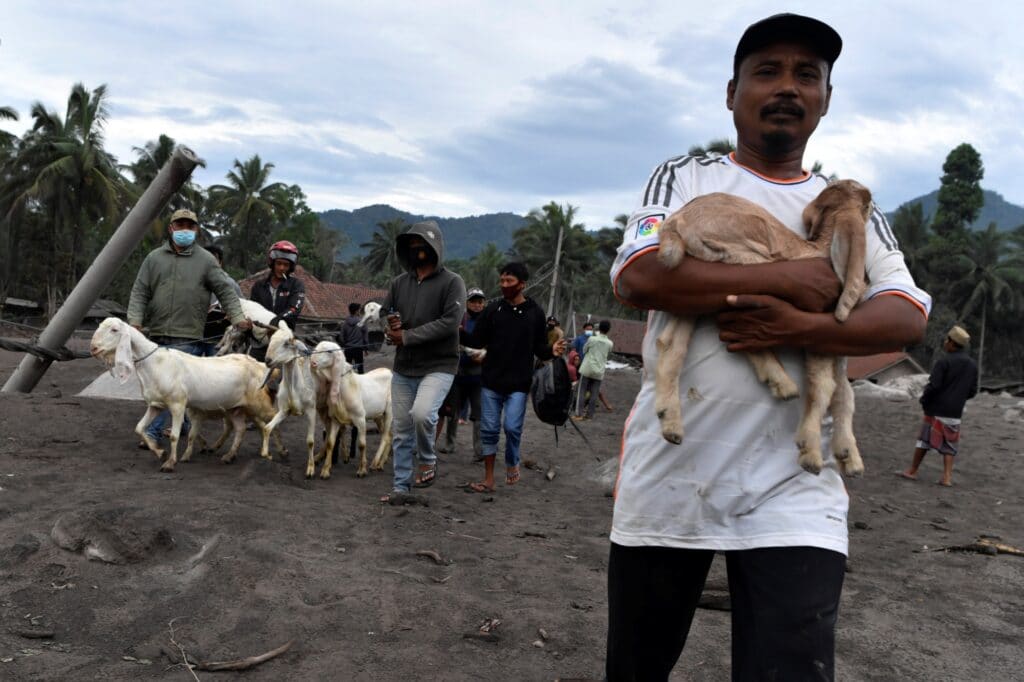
x=172, y=294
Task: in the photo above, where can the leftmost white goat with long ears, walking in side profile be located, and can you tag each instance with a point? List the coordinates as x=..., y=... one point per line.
x=178, y=381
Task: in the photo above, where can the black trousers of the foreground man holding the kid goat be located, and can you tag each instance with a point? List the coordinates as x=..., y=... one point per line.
x=785, y=605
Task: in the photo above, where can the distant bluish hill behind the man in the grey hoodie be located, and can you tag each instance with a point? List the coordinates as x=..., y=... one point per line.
x=463, y=237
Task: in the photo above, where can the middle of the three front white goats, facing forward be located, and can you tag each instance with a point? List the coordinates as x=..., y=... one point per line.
x=297, y=393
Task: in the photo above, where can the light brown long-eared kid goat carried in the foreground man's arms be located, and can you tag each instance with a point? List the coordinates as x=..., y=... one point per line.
x=733, y=230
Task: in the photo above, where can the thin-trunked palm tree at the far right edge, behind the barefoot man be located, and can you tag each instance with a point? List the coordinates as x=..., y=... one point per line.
x=992, y=280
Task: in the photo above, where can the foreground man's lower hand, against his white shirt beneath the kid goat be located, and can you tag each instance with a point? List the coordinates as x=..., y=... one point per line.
x=761, y=323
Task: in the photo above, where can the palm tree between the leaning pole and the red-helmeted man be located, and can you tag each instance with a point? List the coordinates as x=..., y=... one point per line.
x=248, y=206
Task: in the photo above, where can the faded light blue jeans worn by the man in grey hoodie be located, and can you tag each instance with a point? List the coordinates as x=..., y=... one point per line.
x=415, y=402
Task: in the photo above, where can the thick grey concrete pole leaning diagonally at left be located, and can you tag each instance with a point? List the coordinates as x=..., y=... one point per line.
x=175, y=175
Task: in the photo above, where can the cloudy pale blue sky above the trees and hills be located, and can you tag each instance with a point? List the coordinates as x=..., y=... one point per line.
x=457, y=109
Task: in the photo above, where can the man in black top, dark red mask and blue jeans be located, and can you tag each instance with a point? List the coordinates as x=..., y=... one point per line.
x=514, y=331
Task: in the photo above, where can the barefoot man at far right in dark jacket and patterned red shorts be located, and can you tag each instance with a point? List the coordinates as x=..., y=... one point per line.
x=953, y=382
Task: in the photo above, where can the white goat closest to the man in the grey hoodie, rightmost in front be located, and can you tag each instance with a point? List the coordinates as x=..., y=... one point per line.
x=353, y=399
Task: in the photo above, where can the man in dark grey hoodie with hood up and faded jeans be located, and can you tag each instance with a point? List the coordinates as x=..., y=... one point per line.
x=424, y=307
